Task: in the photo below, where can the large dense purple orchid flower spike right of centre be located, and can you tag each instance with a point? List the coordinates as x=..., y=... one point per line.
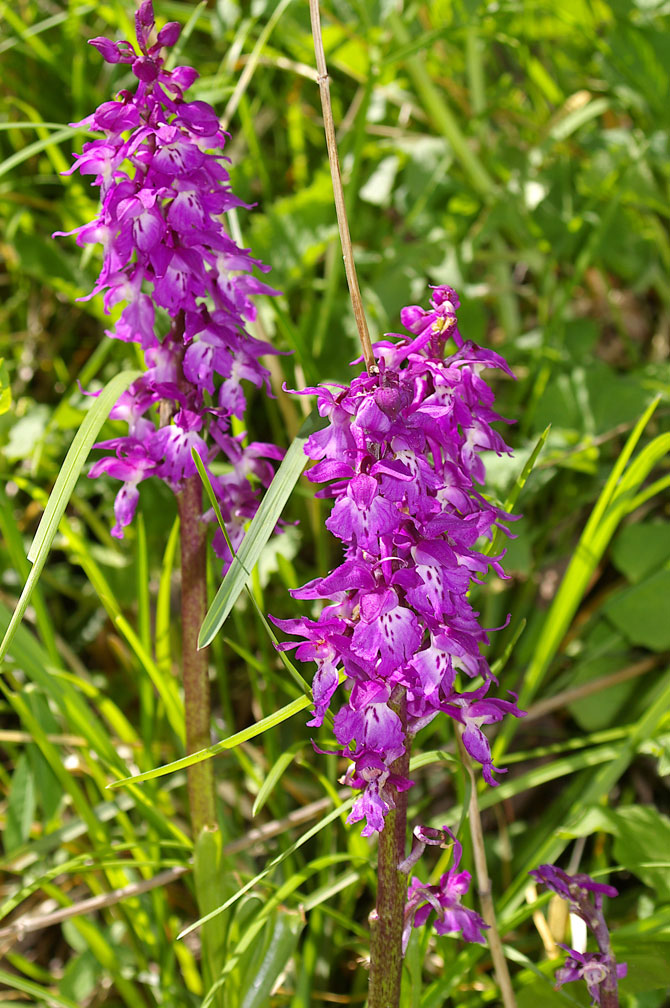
x=401, y=455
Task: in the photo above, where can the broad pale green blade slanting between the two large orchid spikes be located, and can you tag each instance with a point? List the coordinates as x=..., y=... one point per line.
x=260, y=531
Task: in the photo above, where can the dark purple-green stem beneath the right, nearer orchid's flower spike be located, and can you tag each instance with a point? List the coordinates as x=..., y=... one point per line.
x=387, y=920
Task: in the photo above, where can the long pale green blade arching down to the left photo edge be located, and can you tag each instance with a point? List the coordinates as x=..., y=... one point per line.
x=63, y=489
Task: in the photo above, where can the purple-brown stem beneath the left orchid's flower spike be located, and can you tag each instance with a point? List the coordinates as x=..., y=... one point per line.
x=202, y=798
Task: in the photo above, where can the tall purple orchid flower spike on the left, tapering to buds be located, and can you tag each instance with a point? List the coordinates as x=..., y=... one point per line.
x=165, y=188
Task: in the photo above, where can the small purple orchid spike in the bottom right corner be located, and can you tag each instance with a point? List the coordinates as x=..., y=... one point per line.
x=599, y=970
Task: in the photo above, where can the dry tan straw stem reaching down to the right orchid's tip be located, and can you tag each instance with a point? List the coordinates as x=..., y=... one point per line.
x=343, y=224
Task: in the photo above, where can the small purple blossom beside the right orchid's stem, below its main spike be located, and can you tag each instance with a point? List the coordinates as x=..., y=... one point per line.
x=445, y=900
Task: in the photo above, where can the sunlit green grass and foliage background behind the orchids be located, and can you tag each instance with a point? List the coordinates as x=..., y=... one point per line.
x=518, y=153
